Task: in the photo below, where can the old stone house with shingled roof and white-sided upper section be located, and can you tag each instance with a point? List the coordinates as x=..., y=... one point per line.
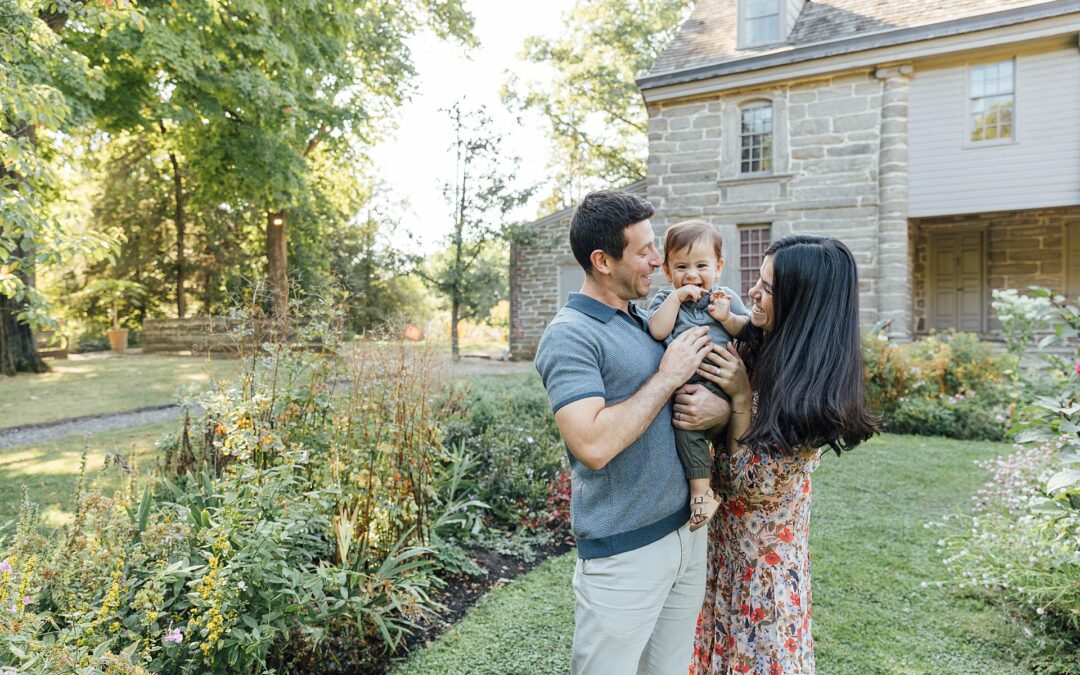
x=940, y=140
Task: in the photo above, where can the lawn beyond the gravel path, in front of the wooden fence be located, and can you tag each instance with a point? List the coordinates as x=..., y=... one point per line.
x=104, y=385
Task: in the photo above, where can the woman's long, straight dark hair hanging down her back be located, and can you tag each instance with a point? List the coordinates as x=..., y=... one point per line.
x=807, y=373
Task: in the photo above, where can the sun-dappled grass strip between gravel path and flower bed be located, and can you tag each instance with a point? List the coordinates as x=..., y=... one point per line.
x=50, y=470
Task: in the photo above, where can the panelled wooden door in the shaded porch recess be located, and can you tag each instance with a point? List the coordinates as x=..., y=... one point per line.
x=958, y=281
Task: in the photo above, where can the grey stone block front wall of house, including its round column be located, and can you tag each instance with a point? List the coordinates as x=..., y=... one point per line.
x=840, y=169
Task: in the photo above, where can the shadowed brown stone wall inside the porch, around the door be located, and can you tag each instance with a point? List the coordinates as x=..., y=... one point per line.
x=1023, y=249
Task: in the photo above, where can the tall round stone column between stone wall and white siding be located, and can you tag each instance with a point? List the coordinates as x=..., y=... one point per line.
x=894, y=283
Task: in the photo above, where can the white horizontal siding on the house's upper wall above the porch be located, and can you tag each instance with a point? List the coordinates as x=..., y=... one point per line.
x=1042, y=169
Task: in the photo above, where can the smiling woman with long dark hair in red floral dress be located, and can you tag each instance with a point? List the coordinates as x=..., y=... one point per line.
x=795, y=380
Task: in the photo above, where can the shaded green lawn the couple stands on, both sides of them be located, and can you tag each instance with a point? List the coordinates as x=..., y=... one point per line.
x=871, y=553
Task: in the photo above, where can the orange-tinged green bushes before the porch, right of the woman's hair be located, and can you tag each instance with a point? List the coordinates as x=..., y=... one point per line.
x=951, y=385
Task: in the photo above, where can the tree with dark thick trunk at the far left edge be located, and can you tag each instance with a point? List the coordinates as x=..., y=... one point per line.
x=44, y=90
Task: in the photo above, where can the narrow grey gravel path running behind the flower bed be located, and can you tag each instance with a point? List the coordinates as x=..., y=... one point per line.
x=151, y=415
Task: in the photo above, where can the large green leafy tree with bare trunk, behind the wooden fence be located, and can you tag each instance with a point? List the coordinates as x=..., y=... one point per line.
x=250, y=91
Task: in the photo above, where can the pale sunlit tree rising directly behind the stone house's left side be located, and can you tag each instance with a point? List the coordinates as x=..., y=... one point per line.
x=598, y=120
